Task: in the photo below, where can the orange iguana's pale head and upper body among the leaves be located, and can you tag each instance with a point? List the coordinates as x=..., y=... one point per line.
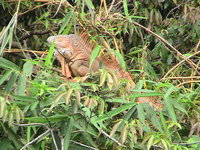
x=73, y=52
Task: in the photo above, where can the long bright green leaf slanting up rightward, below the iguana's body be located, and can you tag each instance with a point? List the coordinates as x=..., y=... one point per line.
x=114, y=112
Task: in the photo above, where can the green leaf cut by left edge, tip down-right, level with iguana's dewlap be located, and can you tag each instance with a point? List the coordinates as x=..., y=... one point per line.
x=4, y=63
